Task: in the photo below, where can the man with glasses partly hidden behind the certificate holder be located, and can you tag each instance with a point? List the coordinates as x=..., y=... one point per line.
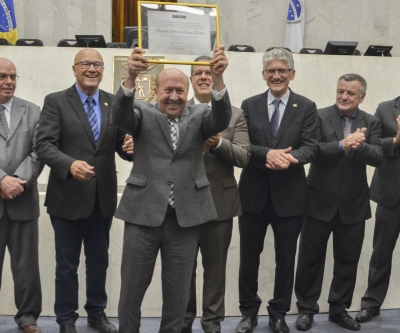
x=224, y=151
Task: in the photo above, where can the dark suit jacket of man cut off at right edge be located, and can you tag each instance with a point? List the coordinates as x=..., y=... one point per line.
x=385, y=182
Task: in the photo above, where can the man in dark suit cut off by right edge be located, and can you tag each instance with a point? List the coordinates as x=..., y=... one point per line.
x=385, y=191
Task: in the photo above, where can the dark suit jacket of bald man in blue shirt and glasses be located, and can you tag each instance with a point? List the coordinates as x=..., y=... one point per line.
x=64, y=135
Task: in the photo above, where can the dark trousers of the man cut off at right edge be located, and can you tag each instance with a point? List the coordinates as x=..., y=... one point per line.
x=386, y=233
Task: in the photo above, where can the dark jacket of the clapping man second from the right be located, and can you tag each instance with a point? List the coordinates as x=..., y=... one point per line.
x=338, y=180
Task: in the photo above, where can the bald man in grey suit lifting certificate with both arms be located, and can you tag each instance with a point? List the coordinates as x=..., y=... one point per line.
x=167, y=195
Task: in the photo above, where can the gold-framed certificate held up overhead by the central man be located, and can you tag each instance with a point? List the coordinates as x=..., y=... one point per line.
x=178, y=28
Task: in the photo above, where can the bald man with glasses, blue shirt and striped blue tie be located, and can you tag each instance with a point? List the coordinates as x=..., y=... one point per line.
x=76, y=140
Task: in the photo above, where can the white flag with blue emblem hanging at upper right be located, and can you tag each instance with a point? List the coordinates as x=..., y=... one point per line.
x=294, y=33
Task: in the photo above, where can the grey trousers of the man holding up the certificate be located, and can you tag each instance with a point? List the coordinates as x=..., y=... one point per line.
x=178, y=247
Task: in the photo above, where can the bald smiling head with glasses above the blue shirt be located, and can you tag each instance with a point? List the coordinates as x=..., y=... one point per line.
x=88, y=69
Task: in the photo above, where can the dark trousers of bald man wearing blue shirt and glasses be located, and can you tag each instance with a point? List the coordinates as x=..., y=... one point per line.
x=69, y=235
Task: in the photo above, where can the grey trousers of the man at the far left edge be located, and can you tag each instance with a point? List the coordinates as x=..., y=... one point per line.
x=21, y=239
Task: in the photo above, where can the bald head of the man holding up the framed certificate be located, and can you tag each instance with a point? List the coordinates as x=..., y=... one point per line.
x=172, y=87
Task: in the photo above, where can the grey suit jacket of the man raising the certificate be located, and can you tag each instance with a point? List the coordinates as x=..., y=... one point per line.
x=157, y=164
